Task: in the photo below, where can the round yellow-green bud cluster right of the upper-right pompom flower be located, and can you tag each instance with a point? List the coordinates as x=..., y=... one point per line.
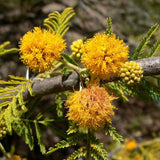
x=131, y=72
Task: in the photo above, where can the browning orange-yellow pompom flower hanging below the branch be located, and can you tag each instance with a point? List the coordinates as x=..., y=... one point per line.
x=90, y=108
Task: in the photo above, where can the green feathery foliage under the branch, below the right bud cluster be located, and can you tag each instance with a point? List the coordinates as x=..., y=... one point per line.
x=146, y=90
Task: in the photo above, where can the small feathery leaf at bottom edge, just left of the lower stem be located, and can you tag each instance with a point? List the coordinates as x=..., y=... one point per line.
x=81, y=152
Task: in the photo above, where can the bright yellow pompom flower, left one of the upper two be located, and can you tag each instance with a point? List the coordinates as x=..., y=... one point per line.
x=40, y=48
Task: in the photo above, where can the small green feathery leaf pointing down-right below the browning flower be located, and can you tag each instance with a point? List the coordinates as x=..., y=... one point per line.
x=112, y=131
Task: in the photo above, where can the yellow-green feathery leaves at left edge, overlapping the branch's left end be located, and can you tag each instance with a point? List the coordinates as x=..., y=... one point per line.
x=12, y=103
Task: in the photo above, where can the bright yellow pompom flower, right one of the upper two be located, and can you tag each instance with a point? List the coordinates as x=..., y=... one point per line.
x=104, y=55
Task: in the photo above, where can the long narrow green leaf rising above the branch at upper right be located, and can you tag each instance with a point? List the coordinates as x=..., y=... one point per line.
x=140, y=49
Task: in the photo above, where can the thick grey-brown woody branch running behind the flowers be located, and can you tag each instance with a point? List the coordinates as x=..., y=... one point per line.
x=60, y=83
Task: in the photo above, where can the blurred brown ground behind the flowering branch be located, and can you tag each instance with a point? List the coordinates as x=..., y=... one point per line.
x=137, y=119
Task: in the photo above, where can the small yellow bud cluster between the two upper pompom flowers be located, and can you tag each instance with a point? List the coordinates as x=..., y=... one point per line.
x=77, y=48
